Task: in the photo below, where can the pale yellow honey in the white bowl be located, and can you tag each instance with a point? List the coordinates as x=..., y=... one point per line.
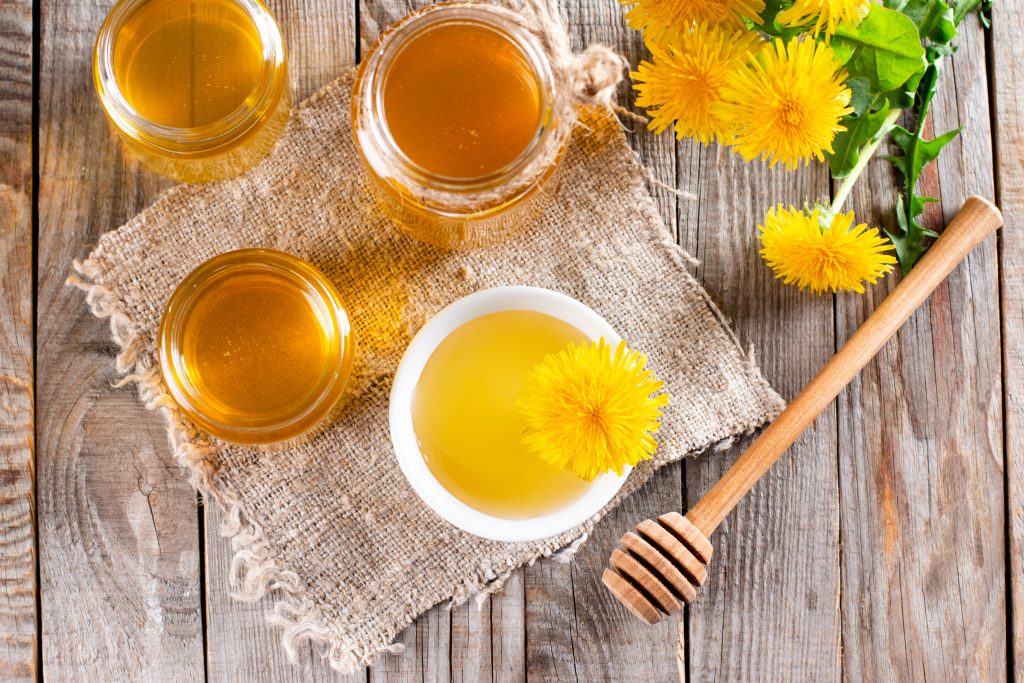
x=467, y=424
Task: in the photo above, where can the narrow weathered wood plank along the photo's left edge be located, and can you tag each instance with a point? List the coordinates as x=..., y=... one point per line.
x=19, y=639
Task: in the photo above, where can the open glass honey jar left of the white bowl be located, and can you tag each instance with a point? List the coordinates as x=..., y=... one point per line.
x=255, y=347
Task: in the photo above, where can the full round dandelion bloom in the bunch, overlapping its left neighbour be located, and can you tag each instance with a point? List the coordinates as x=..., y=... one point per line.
x=787, y=107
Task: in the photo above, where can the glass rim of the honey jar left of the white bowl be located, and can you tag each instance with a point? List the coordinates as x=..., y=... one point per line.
x=318, y=290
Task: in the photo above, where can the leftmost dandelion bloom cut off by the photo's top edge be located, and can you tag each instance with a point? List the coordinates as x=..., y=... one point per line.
x=664, y=20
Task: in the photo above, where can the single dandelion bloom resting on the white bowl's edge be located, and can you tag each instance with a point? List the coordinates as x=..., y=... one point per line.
x=590, y=410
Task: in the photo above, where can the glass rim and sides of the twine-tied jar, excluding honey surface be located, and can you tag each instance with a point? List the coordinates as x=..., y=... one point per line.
x=443, y=210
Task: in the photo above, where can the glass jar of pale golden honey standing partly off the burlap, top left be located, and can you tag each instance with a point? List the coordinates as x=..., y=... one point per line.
x=199, y=90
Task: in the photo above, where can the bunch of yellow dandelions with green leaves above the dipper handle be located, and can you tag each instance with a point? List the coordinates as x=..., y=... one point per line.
x=793, y=80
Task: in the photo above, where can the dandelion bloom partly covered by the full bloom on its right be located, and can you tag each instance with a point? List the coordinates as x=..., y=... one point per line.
x=686, y=78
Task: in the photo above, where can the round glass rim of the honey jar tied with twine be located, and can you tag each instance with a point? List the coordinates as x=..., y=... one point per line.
x=369, y=93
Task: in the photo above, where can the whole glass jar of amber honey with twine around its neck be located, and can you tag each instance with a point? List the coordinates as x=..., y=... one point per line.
x=453, y=116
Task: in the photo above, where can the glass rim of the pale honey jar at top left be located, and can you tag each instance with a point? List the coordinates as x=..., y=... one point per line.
x=268, y=91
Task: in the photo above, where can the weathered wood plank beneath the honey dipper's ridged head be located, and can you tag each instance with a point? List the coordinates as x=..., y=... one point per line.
x=576, y=630
